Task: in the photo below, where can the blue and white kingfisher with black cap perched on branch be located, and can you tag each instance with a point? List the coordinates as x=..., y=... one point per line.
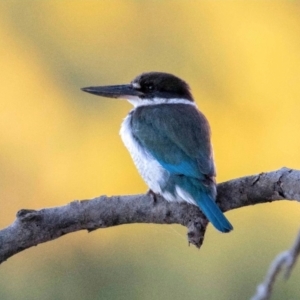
x=168, y=139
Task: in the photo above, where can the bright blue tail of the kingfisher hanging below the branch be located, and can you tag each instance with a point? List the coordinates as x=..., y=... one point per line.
x=213, y=213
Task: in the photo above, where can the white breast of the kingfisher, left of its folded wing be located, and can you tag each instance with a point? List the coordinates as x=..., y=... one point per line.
x=151, y=171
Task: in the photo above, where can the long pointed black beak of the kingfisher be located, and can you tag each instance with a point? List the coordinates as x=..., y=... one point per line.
x=113, y=91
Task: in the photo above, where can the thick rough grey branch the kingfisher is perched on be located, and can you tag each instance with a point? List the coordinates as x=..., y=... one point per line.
x=33, y=227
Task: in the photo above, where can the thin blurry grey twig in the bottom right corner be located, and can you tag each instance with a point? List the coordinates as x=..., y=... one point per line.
x=286, y=259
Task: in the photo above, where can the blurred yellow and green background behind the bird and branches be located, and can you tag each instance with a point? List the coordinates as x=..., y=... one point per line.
x=58, y=144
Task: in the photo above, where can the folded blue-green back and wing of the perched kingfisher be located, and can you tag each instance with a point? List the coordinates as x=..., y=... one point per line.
x=182, y=144
